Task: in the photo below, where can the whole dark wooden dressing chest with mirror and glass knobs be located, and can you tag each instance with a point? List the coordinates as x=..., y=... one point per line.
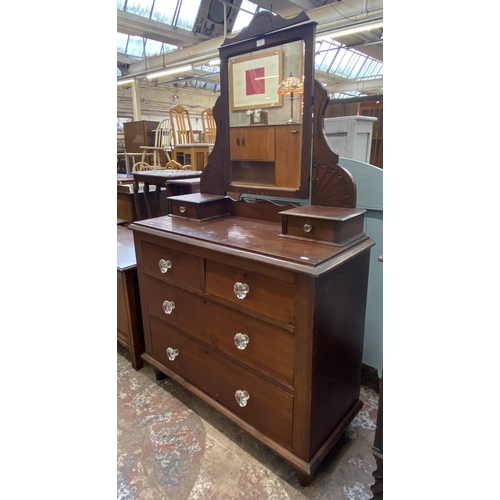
x=258, y=307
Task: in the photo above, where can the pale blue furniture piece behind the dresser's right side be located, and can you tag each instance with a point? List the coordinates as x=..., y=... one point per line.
x=369, y=188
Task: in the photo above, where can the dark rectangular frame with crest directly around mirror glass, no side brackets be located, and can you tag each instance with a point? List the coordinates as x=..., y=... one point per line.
x=269, y=30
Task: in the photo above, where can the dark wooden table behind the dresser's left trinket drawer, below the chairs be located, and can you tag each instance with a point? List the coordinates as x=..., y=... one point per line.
x=158, y=178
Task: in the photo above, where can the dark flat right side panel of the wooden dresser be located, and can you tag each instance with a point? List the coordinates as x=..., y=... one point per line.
x=339, y=322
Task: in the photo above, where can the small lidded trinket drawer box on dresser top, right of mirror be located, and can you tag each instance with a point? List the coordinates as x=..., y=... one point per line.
x=334, y=225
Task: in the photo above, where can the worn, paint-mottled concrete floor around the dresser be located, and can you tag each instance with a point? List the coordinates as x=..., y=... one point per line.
x=171, y=445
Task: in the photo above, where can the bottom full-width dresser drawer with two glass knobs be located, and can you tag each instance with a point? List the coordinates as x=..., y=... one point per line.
x=268, y=408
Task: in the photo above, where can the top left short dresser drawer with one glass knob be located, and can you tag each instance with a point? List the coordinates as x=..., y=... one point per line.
x=172, y=266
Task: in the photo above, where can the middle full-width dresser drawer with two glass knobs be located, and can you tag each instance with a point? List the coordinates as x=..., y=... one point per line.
x=258, y=344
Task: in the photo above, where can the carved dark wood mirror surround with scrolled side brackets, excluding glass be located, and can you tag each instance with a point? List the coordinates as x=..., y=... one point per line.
x=331, y=185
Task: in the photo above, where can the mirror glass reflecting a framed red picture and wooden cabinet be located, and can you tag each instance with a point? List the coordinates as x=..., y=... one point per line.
x=265, y=116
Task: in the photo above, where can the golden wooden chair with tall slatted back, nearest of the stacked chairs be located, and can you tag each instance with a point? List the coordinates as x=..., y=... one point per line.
x=185, y=150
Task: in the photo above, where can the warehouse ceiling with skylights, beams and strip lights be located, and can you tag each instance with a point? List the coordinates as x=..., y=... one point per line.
x=156, y=34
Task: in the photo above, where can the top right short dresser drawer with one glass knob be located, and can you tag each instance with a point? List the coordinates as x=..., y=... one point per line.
x=264, y=294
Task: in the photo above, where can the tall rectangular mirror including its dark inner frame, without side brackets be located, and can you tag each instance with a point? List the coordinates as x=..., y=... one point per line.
x=266, y=91
